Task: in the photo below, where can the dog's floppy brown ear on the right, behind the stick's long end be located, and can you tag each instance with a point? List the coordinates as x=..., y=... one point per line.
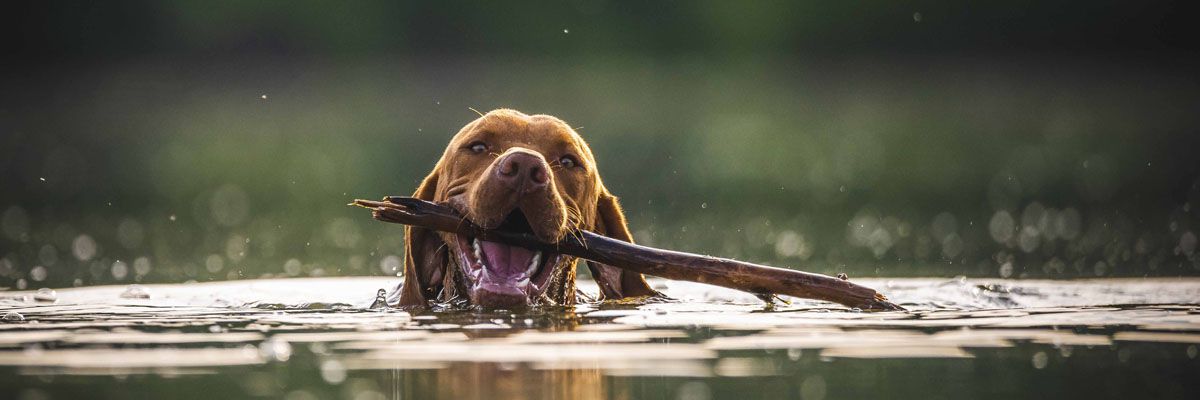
x=616, y=283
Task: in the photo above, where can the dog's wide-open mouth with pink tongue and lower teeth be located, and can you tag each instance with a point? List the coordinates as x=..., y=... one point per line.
x=505, y=277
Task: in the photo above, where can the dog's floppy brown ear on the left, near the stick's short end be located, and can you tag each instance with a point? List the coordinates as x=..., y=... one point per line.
x=425, y=258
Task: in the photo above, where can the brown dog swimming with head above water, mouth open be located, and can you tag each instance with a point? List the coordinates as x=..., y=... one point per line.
x=521, y=172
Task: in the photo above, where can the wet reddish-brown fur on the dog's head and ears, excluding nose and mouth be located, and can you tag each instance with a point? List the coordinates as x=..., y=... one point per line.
x=575, y=200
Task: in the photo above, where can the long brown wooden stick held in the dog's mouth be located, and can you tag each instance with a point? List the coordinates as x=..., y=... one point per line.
x=665, y=264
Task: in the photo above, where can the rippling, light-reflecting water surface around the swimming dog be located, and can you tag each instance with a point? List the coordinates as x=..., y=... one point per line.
x=321, y=339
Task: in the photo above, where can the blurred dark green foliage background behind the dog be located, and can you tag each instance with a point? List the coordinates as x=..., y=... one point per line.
x=166, y=142
